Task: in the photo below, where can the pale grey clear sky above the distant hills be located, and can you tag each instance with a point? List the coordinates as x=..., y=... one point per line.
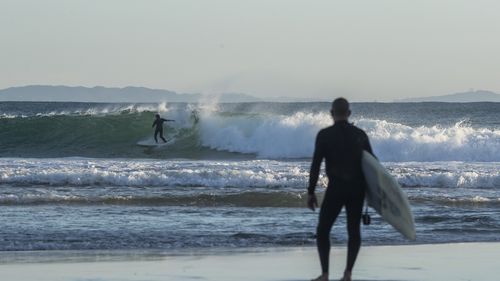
x=373, y=50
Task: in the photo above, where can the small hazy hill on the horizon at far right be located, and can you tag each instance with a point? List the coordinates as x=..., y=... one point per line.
x=471, y=96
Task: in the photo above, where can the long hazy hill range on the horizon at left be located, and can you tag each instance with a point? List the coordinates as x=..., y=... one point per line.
x=103, y=94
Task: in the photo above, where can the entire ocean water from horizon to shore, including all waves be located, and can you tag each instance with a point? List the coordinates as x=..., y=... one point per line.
x=73, y=177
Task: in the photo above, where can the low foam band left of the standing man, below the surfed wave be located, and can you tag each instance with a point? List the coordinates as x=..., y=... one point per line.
x=150, y=173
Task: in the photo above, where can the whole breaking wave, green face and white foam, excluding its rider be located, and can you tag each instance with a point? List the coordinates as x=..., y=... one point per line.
x=210, y=132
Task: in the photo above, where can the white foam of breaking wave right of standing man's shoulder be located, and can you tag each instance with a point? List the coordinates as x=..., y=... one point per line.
x=397, y=142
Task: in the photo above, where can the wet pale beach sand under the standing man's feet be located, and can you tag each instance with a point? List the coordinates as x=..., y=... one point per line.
x=464, y=261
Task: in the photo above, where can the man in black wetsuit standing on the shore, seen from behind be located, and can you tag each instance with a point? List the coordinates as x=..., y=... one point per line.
x=341, y=146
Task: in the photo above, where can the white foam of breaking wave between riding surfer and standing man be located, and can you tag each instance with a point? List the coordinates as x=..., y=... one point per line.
x=267, y=136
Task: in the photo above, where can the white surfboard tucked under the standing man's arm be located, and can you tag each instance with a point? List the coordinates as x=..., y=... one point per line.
x=386, y=196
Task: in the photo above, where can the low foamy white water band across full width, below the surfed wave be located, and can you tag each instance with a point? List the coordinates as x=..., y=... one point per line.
x=227, y=174
